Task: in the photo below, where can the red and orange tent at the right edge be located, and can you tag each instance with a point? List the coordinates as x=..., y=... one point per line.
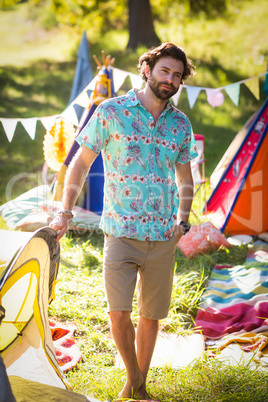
x=237, y=204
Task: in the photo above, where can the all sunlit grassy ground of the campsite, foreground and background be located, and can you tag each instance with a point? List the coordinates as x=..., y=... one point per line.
x=36, y=73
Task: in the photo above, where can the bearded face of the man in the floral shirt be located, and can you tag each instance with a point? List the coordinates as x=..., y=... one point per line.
x=165, y=78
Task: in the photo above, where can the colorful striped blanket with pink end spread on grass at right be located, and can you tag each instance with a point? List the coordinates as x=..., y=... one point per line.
x=236, y=299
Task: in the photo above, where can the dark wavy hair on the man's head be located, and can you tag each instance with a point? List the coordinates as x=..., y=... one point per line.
x=151, y=57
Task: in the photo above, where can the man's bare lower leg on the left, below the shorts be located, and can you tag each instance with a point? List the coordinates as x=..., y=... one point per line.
x=123, y=333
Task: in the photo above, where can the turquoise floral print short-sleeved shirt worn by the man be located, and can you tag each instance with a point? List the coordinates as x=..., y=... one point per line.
x=140, y=195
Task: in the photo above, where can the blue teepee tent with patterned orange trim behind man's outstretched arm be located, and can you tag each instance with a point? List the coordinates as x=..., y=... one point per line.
x=93, y=194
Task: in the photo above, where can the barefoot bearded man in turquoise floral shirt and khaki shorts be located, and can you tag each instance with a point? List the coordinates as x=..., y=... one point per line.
x=147, y=146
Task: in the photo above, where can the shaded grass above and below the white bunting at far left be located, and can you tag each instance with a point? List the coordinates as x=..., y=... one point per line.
x=39, y=90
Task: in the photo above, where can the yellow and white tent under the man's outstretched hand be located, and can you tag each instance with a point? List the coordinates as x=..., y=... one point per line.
x=29, y=264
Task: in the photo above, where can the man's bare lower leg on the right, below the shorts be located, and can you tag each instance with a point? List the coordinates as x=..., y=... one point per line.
x=146, y=338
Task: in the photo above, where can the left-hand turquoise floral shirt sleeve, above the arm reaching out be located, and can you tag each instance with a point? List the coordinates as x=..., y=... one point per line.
x=95, y=134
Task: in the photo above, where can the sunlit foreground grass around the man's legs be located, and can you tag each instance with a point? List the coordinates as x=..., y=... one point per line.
x=80, y=298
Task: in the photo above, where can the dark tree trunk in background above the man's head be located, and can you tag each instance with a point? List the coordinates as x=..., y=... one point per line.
x=141, y=26
